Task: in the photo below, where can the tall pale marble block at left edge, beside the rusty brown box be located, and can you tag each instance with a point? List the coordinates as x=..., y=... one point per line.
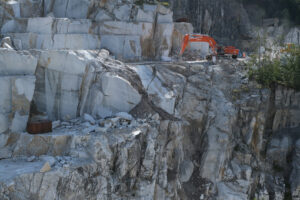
x=17, y=84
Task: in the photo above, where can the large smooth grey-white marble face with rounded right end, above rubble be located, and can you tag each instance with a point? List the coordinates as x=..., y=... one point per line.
x=61, y=88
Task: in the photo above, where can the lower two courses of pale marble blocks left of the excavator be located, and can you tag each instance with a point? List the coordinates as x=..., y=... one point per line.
x=126, y=40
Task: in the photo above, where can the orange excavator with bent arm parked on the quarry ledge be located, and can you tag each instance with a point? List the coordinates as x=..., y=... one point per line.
x=216, y=50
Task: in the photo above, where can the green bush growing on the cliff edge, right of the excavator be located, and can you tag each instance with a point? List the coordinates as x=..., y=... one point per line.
x=284, y=70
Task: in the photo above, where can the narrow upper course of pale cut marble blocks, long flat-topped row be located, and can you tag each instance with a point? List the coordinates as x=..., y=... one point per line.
x=49, y=25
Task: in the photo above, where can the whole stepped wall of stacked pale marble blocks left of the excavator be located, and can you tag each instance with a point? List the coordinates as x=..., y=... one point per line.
x=128, y=31
